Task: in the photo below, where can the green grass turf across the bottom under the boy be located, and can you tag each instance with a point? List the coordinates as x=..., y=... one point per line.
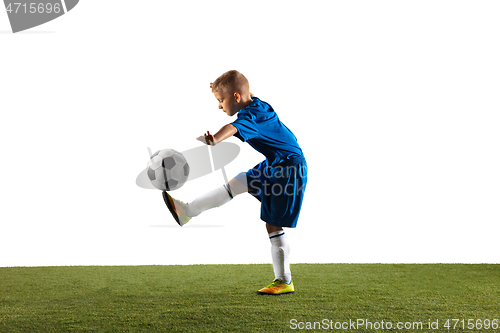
x=222, y=298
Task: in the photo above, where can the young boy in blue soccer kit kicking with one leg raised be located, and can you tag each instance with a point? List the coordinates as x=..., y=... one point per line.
x=278, y=182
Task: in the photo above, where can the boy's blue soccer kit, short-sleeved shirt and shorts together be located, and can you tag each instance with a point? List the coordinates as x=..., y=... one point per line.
x=279, y=181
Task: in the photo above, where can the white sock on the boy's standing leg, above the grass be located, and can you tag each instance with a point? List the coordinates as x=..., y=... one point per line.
x=280, y=251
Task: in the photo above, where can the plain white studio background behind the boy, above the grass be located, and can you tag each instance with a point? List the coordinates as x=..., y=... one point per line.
x=395, y=104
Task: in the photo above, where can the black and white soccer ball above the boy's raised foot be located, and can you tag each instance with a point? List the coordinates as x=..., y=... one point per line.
x=167, y=169
